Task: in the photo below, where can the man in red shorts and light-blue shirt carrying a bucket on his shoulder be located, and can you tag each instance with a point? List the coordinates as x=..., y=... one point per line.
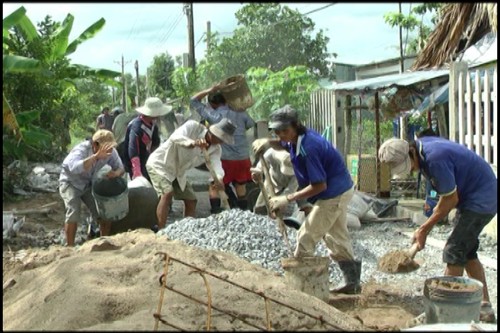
x=235, y=157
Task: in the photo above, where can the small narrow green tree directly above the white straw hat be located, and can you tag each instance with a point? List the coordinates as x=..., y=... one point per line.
x=160, y=76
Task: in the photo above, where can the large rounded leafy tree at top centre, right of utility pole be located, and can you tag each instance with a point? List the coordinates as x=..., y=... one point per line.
x=271, y=36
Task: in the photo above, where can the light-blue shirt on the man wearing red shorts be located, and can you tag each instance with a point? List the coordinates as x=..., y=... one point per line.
x=240, y=150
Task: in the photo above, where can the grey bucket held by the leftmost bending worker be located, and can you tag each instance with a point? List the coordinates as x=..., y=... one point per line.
x=111, y=198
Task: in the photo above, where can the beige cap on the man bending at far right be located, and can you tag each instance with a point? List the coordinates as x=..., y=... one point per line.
x=394, y=152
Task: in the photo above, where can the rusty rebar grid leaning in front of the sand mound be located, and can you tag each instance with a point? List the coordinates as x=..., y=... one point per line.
x=210, y=306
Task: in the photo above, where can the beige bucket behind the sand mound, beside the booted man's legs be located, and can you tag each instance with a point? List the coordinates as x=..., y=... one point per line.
x=308, y=274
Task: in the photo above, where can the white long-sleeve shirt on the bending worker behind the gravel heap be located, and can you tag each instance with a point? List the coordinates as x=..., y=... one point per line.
x=174, y=157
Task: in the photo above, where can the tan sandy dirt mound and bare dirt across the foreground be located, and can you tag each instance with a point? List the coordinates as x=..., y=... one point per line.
x=60, y=280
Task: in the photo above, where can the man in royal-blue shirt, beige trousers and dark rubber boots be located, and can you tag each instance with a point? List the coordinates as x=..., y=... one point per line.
x=326, y=183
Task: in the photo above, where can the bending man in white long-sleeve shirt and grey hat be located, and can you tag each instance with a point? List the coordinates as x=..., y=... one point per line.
x=168, y=164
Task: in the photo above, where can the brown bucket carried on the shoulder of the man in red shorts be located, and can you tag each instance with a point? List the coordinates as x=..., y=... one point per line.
x=236, y=92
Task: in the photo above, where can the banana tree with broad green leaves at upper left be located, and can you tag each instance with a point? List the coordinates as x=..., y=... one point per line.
x=19, y=61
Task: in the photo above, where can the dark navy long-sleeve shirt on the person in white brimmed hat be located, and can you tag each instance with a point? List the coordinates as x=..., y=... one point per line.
x=140, y=140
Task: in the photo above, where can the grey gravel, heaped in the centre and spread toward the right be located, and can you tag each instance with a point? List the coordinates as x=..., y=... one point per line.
x=257, y=239
